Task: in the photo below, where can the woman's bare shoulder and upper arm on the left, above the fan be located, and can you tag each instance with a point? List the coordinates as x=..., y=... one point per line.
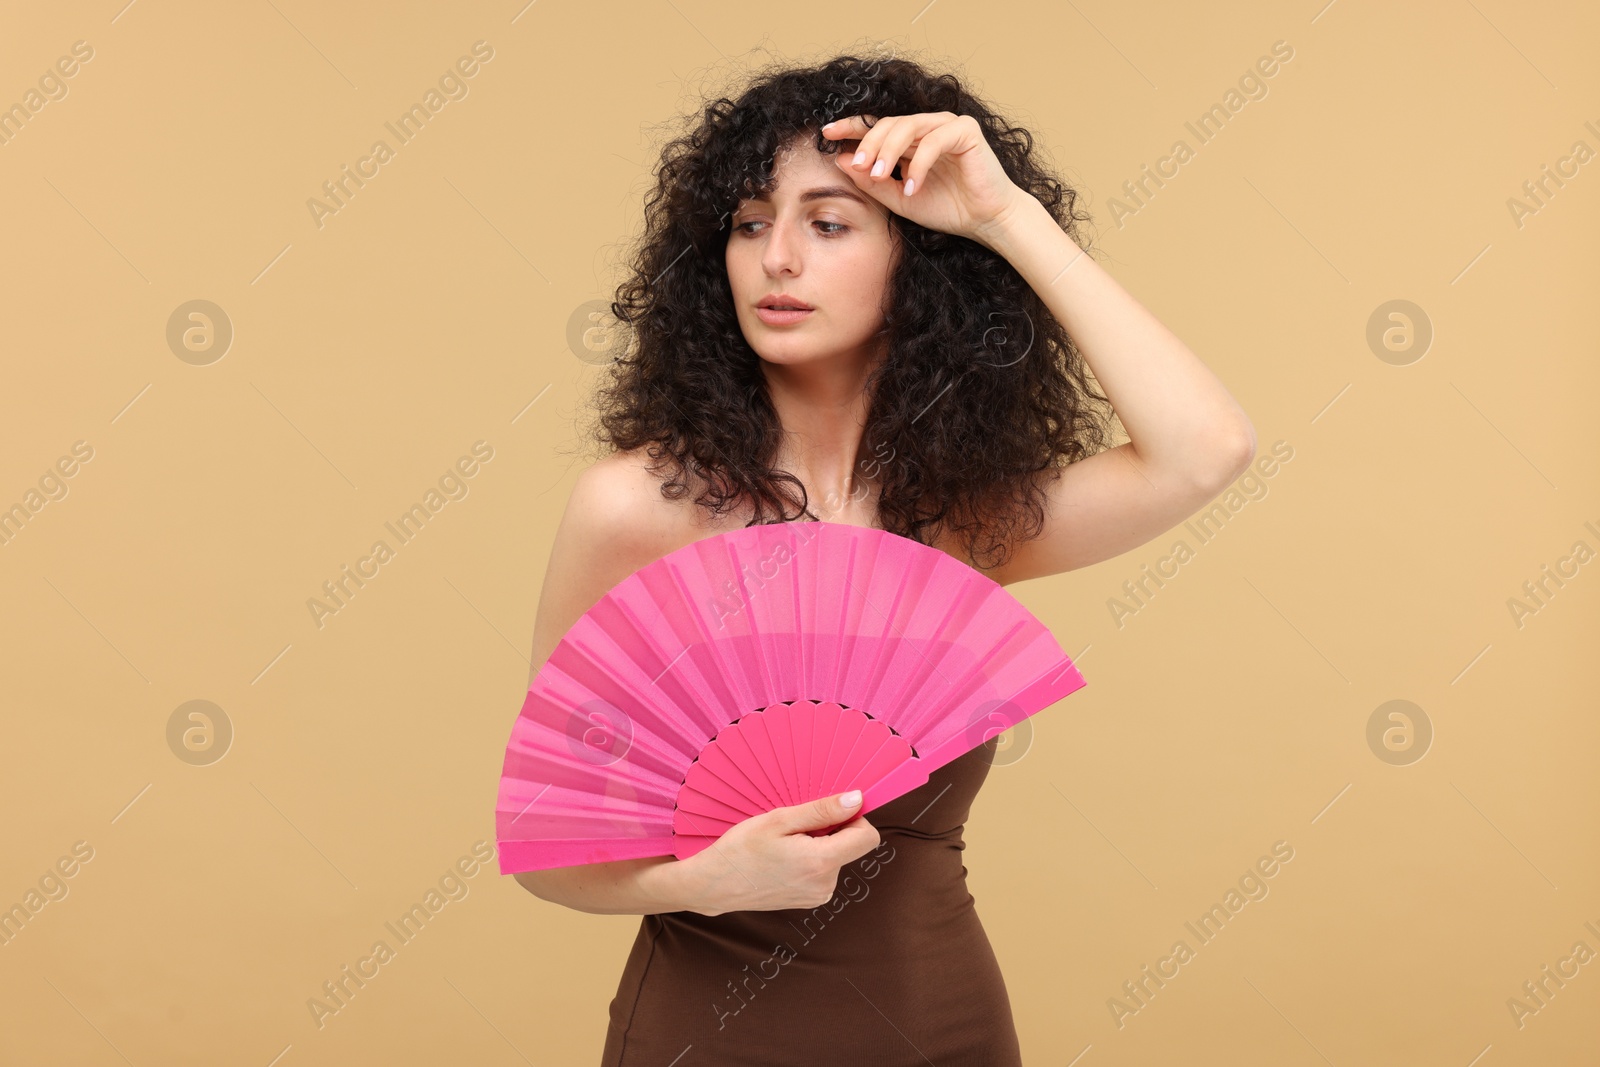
x=617, y=521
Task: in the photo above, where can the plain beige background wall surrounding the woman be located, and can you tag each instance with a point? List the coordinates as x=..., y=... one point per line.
x=372, y=353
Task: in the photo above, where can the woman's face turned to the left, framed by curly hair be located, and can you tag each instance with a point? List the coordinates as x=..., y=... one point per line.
x=823, y=242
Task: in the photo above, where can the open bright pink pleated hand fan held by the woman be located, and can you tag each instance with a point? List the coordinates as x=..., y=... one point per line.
x=762, y=668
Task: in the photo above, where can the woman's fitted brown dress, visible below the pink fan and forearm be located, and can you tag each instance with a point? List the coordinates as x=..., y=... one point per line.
x=894, y=970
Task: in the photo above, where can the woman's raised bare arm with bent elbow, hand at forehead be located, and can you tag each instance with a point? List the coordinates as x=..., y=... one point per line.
x=1186, y=436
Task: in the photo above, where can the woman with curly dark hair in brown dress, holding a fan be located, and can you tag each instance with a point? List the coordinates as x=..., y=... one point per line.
x=858, y=287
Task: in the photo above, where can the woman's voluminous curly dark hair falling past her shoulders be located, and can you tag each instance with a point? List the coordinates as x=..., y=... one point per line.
x=982, y=390
